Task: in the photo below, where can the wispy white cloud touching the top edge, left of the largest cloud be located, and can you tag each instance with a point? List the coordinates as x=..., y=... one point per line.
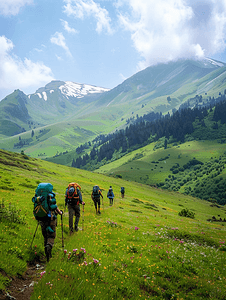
x=82, y=8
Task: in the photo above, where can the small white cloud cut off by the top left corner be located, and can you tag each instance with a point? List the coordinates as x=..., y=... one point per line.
x=12, y=7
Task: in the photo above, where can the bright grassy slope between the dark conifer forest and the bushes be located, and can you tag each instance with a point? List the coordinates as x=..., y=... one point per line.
x=152, y=166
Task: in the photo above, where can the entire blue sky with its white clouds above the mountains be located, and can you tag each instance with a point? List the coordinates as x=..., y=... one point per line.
x=102, y=42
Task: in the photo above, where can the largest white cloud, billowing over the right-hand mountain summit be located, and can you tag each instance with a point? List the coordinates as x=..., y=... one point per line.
x=166, y=30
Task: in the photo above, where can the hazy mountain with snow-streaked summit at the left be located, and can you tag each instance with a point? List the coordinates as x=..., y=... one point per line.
x=55, y=102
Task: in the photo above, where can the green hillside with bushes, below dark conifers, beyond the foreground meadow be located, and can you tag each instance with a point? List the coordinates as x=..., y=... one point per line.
x=197, y=168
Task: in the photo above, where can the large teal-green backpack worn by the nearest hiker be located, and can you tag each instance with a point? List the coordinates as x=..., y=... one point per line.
x=44, y=201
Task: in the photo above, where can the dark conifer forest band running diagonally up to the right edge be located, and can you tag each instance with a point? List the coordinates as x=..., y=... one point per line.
x=204, y=122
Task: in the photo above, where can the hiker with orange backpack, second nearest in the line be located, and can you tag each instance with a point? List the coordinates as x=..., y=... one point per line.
x=73, y=197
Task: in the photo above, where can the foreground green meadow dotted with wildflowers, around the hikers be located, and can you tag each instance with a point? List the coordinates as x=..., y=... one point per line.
x=139, y=248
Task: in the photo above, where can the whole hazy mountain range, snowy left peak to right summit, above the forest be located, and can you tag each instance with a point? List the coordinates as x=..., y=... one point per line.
x=62, y=105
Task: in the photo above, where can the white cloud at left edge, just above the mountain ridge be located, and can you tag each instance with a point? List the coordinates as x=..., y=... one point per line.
x=15, y=73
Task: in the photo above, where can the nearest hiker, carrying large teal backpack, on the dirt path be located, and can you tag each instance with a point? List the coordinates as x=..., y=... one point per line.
x=45, y=212
